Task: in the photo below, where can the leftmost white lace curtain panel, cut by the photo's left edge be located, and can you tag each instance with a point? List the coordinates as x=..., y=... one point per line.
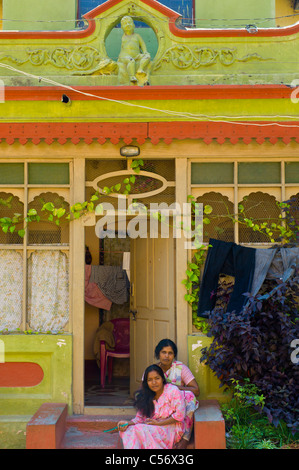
x=11, y=289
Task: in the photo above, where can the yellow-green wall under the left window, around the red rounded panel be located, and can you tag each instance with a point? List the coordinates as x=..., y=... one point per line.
x=54, y=355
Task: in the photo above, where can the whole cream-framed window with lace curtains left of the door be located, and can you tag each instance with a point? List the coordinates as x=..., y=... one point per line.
x=34, y=265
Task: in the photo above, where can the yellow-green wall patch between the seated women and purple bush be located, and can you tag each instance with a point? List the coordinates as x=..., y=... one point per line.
x=207, y=381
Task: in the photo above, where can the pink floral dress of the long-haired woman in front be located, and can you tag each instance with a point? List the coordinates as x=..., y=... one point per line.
x=148, y=436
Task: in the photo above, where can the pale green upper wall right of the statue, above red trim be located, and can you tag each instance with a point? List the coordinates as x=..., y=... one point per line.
x=234, y=13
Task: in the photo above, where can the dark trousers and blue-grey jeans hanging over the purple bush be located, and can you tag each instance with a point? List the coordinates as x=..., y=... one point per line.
x=249, y=266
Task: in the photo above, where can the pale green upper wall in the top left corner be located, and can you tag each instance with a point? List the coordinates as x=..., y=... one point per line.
x=30, y=15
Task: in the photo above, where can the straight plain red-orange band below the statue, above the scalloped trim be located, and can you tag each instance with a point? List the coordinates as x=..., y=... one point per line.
x=127, y=93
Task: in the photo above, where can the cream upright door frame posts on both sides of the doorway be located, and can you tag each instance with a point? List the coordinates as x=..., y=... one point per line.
x=77, y=236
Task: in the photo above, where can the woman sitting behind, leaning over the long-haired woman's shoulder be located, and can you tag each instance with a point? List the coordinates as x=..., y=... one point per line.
x=180, y=375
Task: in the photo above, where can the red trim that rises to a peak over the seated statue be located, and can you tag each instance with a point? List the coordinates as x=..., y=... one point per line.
x=170, y=14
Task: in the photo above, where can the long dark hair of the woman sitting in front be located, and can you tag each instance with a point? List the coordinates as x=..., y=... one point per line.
x=144, y=398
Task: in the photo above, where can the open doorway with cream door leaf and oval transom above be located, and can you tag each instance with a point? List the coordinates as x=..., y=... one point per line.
x=152, y=301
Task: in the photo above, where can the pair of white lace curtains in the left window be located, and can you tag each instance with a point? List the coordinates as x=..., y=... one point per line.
x=47, y=290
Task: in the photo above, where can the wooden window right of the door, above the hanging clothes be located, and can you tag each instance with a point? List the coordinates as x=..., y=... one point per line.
x=252, y=189
